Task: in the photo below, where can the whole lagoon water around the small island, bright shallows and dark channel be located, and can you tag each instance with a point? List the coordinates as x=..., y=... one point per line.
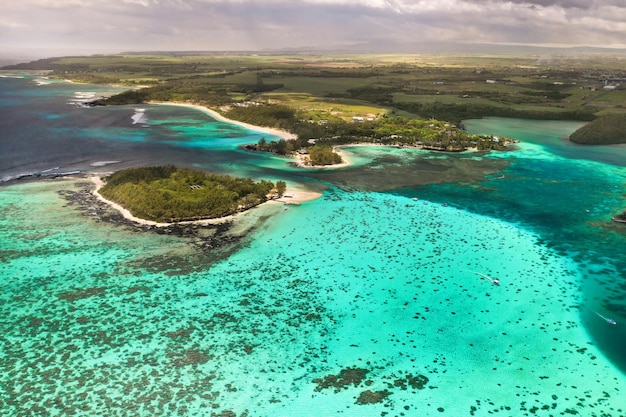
x=375, y=299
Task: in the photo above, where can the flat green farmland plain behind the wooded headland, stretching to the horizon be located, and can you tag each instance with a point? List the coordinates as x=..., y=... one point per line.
x=349, y=85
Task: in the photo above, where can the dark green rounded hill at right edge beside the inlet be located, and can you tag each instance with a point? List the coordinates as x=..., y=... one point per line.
x=605, y=130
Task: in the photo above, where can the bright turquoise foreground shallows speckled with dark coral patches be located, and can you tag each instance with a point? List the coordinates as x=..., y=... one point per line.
x=94, y=324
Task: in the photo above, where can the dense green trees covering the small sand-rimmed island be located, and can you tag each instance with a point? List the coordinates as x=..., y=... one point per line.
x=172, y=194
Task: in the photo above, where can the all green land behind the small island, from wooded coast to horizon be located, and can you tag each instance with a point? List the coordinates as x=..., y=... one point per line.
x=324, y=97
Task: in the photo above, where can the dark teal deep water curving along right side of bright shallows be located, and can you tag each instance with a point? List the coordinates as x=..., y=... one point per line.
x=564, y=226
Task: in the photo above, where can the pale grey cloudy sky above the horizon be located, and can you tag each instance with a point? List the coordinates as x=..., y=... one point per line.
x=94, y=26
